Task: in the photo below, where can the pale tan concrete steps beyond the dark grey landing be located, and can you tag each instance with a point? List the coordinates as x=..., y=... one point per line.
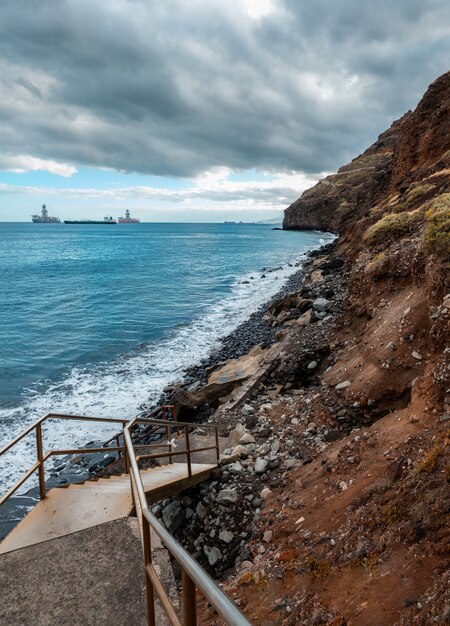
x=78, y=507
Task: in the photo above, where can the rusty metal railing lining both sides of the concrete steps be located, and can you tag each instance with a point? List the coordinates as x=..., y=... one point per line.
x=194, y=577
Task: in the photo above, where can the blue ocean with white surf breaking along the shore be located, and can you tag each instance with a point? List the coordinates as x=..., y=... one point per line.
x=96, y=320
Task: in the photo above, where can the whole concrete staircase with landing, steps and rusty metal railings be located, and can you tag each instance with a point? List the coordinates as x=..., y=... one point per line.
x=80, y=558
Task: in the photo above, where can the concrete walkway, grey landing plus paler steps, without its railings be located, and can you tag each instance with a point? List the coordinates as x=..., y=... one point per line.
x=75, y=558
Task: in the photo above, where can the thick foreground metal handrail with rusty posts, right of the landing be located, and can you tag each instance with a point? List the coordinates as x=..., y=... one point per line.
x=194, y=576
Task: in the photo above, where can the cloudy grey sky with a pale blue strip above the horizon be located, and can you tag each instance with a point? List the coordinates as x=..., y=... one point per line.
x=204, y=110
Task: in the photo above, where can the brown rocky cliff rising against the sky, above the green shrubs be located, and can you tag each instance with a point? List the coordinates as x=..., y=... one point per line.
x=415, y=147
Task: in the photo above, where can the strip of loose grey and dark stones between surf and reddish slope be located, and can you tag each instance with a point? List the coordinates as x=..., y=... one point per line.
x=218, y=521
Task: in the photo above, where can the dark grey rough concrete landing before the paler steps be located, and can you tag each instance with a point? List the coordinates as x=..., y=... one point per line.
x=90, y=577
